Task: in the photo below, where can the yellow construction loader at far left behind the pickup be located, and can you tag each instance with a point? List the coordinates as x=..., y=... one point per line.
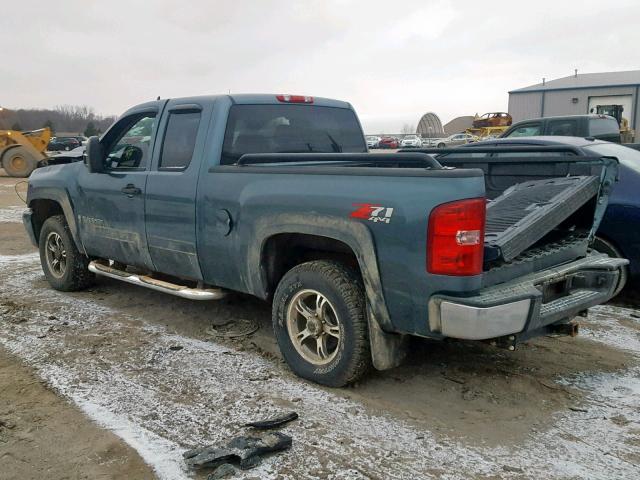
x=20, y=152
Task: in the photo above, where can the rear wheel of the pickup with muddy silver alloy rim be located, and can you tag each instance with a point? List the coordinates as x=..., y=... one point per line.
x=320, y=323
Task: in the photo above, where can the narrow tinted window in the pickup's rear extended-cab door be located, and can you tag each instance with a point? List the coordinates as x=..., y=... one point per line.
x=179, y=140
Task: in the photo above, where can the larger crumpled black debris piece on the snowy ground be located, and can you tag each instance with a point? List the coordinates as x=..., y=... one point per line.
x=244, y=450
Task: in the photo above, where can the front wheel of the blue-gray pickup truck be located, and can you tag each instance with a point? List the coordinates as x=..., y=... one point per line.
x=65, y=268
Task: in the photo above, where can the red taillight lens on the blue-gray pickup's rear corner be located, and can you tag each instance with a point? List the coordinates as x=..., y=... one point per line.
x=455, y=239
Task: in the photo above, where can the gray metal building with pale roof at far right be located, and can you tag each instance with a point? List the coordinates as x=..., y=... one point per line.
x=577, y=95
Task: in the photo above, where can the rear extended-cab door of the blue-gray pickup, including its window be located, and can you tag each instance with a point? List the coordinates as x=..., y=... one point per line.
x=170, y=208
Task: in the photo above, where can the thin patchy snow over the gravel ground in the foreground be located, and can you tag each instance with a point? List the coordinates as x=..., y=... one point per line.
x=162, y=401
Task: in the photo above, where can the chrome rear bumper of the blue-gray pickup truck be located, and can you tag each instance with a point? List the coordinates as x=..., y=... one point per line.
x=528, y=303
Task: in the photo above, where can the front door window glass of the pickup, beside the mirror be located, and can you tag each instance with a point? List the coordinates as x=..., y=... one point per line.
x=130, y=149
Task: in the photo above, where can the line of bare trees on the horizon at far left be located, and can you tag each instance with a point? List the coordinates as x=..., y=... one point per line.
x=76, y=119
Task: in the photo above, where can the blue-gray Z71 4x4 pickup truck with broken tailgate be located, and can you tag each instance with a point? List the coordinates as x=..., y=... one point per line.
x=278, y=197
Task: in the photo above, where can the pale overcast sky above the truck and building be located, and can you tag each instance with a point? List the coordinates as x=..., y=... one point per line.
x=392, y=60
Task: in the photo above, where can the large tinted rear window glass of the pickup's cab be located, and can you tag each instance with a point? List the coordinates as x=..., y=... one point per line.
x=290, y=129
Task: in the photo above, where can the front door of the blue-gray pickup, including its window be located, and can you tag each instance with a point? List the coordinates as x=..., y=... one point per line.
x=111, y=204
